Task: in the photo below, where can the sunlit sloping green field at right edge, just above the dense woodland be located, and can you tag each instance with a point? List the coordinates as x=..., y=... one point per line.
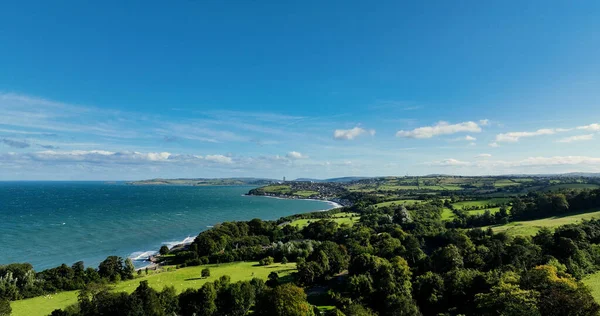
x=532, y=227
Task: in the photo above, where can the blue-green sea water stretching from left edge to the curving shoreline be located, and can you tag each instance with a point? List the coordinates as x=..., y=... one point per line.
x=49, y=223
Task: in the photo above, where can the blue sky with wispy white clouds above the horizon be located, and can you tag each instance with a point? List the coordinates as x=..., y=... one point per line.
x=145, y=89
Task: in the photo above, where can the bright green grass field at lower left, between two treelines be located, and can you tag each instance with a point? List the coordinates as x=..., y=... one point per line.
x=181, y=279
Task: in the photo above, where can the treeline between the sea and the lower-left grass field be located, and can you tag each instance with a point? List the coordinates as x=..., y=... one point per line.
x=19, y=280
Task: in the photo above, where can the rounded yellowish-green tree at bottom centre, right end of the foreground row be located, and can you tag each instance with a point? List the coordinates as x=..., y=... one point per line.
x=284, y=300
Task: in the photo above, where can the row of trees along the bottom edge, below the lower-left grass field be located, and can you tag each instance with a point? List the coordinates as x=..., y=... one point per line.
x=218, y=298
